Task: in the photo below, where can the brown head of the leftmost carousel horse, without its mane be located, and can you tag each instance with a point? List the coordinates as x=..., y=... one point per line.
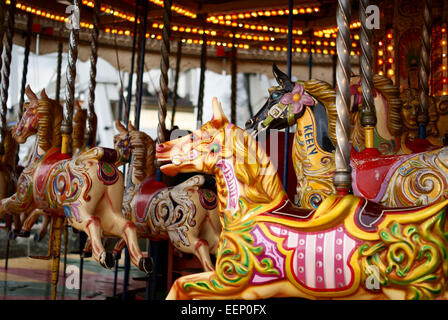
x=28, y=124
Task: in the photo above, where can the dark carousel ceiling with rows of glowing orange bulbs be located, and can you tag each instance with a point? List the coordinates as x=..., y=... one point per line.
x=258, y=28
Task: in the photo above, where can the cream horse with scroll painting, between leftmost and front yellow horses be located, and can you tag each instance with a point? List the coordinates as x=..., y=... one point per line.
x=187, y=213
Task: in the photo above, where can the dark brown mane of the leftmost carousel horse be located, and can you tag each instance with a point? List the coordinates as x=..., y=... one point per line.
x=50, y=119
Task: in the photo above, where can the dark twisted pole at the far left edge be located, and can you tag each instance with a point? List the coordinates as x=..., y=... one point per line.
x=6, y=68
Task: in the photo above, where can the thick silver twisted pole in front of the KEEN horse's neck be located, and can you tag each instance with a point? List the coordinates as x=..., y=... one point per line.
x=342, y=177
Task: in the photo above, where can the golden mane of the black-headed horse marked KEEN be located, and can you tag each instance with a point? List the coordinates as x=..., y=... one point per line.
x=323, y=91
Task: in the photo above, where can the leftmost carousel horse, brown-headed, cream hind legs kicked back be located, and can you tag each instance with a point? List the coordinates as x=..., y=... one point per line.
x=87, y=188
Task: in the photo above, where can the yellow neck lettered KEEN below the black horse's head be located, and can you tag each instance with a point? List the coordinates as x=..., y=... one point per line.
x=306, y=148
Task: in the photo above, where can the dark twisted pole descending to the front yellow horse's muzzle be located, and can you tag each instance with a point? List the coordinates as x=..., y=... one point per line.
x=164, y=66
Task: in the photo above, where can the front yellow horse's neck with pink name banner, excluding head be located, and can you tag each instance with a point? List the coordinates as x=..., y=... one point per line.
x=248, y=187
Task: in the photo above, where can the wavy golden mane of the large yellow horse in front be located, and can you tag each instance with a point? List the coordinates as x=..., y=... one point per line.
x=258, y=177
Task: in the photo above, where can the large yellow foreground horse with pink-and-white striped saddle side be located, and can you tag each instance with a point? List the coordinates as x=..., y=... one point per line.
x=347, y=248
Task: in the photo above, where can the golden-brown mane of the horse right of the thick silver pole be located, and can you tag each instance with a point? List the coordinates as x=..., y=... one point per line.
x=387, y=88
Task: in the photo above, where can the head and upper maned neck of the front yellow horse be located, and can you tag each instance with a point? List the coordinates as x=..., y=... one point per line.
x=242, y=169
